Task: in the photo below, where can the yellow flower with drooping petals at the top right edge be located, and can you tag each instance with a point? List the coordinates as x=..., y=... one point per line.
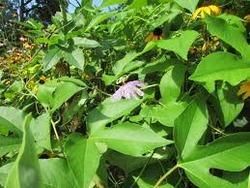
x=211, y=10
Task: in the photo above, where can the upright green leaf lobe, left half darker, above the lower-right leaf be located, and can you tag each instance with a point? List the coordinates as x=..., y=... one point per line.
x=189, y=127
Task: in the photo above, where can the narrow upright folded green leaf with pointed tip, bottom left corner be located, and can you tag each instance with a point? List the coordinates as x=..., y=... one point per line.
x=25, y=171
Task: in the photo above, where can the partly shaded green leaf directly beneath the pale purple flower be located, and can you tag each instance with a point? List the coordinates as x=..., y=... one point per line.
x=108, y=111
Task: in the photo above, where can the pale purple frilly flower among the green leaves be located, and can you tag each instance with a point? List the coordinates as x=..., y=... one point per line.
x=130, y=90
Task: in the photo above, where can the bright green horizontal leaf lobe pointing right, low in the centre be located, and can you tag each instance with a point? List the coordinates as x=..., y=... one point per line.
x=130, y=139
